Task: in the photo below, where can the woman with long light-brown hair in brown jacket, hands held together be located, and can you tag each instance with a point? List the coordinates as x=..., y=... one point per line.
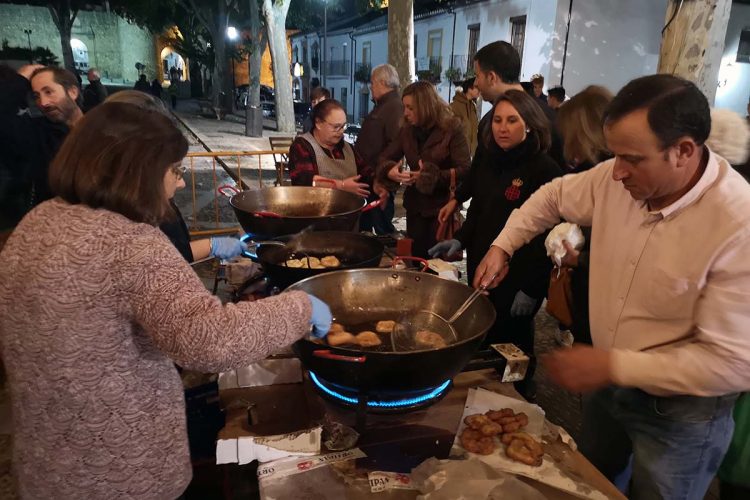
x=433, y=142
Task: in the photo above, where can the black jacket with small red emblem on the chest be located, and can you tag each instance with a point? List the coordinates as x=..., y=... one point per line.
x=500, y=183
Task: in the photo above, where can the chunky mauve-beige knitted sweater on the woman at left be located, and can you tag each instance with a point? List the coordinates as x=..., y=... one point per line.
x=94, y=309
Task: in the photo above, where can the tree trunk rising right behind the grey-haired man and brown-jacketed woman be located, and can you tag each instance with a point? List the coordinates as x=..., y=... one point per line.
x=401, y=39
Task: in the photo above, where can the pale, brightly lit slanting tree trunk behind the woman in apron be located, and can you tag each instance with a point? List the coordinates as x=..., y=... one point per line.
x=275, y=12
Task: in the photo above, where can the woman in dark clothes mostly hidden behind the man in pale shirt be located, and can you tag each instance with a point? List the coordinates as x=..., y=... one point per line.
x=580, y=124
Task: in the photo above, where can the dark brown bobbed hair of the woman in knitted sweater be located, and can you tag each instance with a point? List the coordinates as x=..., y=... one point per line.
x=116, y=158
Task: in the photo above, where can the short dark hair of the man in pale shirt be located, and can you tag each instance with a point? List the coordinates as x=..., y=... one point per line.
x=676, y=107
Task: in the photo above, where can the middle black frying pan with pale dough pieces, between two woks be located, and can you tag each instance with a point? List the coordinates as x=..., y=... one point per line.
x=354, y=250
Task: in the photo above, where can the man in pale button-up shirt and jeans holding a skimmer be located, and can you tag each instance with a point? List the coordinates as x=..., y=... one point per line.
x=669, y=290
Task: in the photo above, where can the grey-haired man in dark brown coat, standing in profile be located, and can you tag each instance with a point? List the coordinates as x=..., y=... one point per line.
x=380, y=128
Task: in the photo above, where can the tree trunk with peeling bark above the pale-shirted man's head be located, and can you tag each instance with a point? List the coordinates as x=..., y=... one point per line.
x=693, y=43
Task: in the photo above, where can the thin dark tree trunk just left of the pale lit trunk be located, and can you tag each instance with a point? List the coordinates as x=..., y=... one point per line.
x=258, y=41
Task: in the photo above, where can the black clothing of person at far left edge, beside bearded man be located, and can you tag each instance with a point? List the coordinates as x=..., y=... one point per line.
x=27, y=146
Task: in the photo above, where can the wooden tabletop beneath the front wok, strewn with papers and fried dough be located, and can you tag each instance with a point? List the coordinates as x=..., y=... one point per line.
x=392, y=442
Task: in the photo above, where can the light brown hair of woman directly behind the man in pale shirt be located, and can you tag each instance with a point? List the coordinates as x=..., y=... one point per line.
x=580, y=123
